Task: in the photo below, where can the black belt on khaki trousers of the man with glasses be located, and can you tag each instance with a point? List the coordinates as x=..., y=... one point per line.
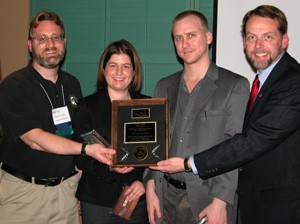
x=50, y=182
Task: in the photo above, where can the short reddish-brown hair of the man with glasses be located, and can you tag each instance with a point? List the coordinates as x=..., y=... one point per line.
x=45, y=16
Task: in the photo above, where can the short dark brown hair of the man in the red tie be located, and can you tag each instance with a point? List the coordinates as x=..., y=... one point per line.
x=267, y=11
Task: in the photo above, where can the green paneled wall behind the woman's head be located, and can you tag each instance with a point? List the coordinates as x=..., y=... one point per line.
x=92, y=24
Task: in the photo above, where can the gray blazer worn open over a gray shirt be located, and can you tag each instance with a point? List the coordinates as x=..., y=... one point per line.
x=219, y=114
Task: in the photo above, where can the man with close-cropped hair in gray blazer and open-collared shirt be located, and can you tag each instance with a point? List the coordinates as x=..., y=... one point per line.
x=206, y=106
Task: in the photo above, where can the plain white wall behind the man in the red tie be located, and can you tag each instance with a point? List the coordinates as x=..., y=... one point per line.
x=229, y=52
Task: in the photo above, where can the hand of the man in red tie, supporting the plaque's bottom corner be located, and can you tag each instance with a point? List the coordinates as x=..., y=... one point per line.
x=172, y=165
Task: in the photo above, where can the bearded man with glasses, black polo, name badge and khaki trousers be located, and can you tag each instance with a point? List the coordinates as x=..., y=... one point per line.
x=37, y=175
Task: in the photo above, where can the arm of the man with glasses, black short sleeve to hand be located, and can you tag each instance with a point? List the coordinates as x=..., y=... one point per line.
x=29, y=126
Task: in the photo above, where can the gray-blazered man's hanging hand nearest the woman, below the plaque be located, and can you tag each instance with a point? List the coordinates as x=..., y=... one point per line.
x=153, y=207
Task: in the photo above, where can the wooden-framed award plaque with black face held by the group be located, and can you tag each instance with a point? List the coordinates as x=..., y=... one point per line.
x=139, y=131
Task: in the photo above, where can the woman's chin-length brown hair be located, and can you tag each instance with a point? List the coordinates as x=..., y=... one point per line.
x=118, y=47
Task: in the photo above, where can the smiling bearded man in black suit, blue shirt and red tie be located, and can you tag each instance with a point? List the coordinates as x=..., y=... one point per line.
x=268, y=149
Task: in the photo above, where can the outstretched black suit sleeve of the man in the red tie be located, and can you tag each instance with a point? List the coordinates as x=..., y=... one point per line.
x=275, y=118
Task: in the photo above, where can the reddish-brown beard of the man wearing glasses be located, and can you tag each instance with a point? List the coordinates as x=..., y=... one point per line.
x=51, y=61
